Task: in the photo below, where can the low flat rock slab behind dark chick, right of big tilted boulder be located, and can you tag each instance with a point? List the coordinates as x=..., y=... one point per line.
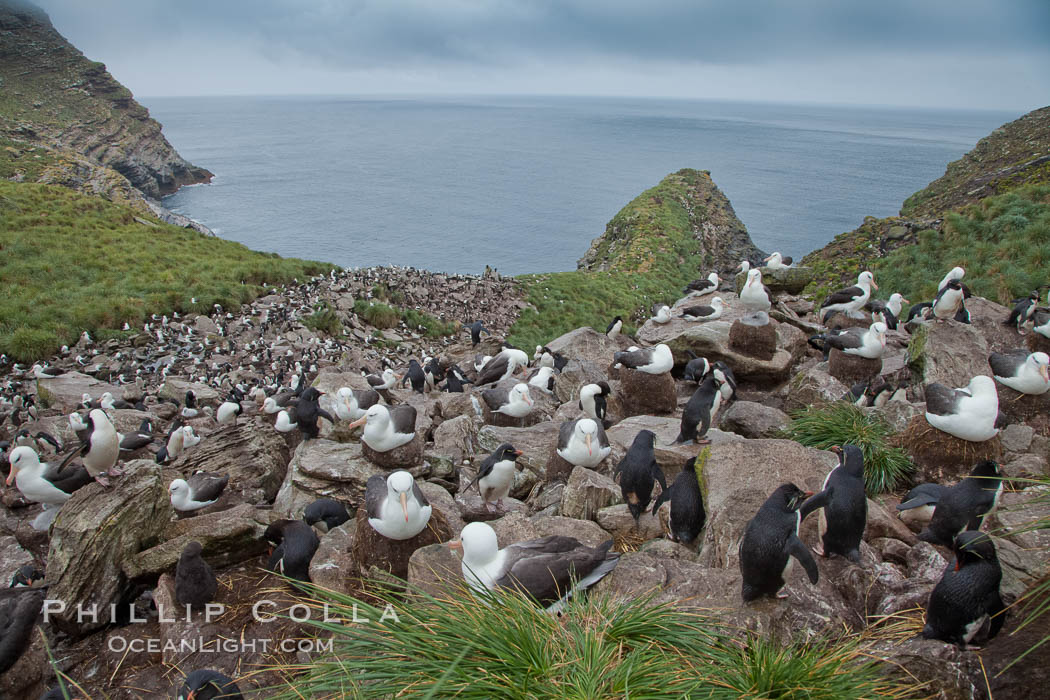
x=228, y=537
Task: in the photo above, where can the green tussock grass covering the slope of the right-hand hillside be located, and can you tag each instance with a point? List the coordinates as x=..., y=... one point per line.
x=1003, y=243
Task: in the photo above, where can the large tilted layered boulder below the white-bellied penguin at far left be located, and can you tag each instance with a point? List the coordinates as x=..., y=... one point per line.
x=97, y=532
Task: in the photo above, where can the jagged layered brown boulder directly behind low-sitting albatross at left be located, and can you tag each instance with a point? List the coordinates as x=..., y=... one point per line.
x=254, y=455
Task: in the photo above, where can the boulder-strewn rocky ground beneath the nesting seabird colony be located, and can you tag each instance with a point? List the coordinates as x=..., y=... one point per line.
x=120, y=545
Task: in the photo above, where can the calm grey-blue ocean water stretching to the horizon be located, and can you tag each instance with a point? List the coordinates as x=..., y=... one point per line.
x=523, y=184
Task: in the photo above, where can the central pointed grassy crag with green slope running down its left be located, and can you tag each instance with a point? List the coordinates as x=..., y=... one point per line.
x=667, y=237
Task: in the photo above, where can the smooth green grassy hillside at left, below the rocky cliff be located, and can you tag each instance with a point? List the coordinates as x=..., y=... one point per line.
x=71, y=263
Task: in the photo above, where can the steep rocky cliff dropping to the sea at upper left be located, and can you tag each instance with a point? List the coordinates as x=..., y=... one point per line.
x=62, y=105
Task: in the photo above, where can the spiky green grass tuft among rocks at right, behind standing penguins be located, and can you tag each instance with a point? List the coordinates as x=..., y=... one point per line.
x=843, y=423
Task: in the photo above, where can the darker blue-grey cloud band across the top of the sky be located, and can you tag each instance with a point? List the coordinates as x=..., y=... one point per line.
x=385, y=33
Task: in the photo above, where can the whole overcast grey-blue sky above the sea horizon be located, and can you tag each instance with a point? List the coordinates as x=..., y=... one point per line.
x=988, y=54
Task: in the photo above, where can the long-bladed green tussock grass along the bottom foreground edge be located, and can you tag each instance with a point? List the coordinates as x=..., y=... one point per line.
x=455, y=645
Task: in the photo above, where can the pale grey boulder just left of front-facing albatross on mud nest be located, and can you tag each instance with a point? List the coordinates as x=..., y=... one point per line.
x=324, y=470
